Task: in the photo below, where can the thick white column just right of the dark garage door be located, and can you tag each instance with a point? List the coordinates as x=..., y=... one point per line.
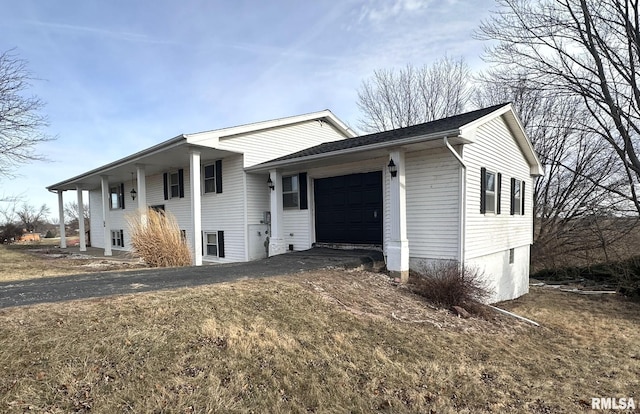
x=398, y=248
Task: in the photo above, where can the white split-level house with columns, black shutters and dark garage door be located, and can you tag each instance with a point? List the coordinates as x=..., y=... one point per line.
x=458, y=188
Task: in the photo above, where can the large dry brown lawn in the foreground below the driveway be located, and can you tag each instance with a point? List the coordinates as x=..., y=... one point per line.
x=330, y=341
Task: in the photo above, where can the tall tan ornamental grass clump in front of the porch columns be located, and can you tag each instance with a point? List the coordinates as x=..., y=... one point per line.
x=157, y=239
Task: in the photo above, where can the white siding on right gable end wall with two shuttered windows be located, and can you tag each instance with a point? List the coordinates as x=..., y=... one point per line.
x=496, y=150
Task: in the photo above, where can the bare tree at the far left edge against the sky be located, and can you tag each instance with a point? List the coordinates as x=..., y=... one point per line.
x=21, y=122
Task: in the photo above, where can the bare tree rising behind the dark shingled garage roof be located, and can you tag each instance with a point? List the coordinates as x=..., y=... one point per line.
x=410, y=96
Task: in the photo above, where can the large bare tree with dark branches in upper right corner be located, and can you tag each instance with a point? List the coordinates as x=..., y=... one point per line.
x=587, y=49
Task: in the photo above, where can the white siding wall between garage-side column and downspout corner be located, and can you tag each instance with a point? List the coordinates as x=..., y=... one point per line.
x=433, y=206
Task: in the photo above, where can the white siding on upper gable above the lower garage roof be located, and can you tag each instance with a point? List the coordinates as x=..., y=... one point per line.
x=268, y=144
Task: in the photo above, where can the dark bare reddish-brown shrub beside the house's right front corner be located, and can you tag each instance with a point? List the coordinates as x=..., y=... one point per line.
x=449, y=284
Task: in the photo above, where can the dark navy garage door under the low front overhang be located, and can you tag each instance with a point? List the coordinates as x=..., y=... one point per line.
x=349, y=209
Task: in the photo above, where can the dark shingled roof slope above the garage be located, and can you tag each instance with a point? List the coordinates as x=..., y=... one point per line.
x=433, y=127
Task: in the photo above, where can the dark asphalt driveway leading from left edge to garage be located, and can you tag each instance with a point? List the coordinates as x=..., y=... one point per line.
x=83, y=286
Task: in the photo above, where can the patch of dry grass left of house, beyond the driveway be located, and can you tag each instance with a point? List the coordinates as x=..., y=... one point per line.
x=37, y=260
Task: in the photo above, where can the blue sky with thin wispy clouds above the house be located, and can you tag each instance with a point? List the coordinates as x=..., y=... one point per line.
x=119, y=76
